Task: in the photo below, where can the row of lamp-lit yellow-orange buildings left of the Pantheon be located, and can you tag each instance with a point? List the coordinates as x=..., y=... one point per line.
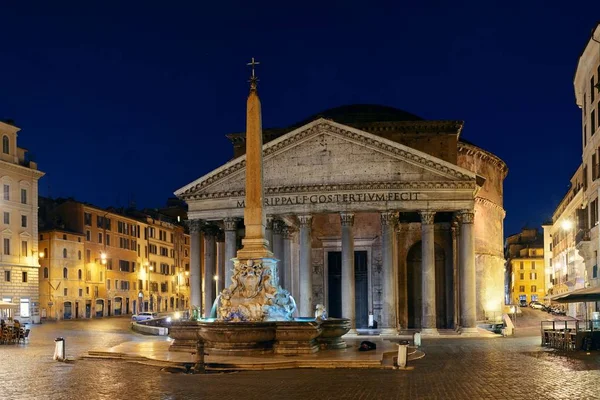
x=110, y=262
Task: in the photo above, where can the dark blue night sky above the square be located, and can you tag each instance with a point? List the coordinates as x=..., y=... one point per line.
x=132, y=101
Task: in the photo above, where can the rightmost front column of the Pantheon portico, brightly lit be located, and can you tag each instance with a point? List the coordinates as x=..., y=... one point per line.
x=466, y=254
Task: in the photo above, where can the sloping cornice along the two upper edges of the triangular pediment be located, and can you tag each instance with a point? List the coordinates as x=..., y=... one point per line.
x=368, y=140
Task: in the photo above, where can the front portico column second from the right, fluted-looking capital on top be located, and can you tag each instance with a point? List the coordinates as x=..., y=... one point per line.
x=428, y=320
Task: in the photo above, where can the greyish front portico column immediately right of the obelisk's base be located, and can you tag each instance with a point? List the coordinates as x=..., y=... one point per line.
x=305, y=301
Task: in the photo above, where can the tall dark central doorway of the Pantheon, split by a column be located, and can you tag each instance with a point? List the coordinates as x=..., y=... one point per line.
x=361, y=286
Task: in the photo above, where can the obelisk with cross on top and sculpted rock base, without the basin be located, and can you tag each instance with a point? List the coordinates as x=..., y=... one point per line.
x=254, y=294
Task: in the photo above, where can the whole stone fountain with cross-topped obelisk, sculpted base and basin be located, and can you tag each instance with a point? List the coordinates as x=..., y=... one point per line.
x=254, y=314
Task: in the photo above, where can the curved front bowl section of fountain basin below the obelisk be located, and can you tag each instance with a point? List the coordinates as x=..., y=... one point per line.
x=237, y=338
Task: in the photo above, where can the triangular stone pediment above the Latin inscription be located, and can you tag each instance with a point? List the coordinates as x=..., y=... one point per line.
x=329, y=155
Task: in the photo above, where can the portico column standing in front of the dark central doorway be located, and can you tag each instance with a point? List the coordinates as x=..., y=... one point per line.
x=348, y=280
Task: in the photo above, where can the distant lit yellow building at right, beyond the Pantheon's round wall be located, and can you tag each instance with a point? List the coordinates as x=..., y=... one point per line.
x=525, y=264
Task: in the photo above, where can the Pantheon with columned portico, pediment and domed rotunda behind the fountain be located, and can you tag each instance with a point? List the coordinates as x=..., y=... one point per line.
x=370, y=210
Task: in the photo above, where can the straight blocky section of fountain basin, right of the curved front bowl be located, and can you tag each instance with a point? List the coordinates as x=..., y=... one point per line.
x=296, y=337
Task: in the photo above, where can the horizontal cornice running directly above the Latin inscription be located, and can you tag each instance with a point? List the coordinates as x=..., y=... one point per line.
x=426, y=185
